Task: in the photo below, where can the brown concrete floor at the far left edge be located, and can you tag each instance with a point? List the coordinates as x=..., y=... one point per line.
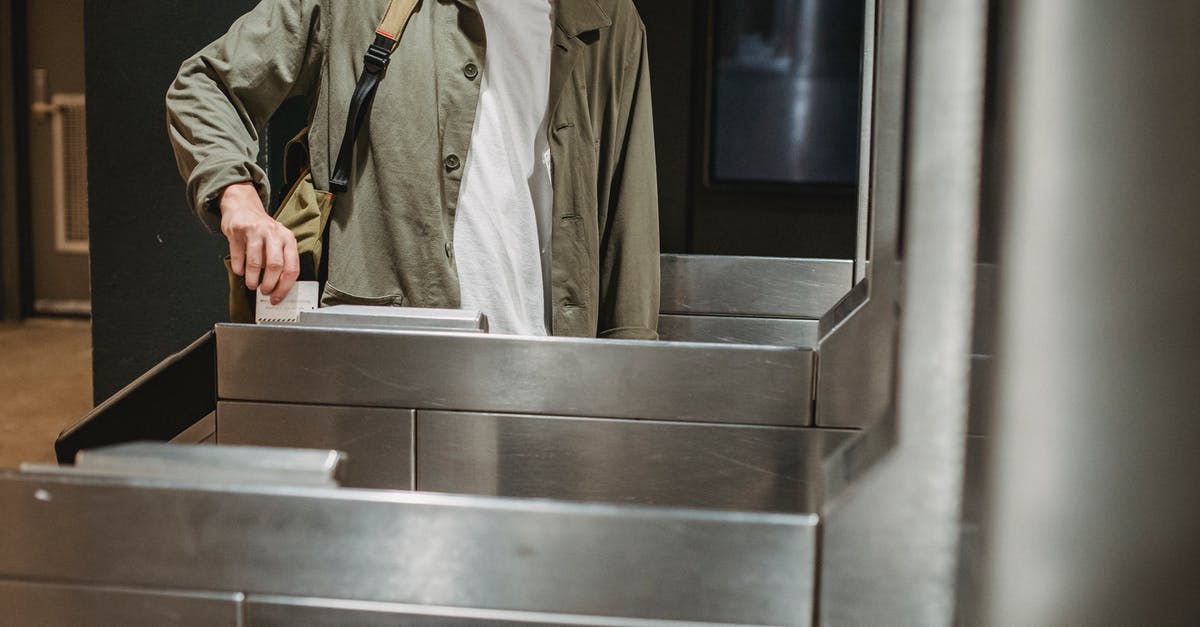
x=45, y=386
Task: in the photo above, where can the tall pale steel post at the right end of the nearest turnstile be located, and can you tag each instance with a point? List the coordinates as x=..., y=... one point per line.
x=891, y=547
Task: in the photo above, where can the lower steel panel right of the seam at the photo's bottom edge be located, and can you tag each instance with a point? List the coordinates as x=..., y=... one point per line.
x=284, y=612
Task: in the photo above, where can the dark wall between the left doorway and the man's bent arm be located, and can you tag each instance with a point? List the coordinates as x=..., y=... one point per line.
x=157, y=274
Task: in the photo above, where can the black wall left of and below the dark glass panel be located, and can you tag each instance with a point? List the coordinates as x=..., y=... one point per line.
x=701, y=218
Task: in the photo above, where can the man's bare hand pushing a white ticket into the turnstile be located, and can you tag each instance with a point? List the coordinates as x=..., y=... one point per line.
x=259, y=246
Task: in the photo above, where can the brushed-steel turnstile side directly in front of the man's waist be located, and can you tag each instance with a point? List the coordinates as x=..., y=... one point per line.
x=665, y=423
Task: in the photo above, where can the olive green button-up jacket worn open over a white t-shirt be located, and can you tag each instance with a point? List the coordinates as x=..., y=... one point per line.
x=392, y=232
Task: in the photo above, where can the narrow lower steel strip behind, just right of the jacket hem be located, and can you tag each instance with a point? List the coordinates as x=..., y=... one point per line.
x=729, y=330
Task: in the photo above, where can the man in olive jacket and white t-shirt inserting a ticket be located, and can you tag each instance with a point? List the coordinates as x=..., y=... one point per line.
x=508, y=163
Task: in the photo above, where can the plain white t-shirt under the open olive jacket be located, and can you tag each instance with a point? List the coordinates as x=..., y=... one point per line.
x=502, y=228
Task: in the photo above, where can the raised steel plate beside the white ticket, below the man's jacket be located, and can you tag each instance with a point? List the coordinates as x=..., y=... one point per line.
x=400, y=319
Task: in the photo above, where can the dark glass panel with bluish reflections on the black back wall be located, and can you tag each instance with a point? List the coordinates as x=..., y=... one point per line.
x=787, y=92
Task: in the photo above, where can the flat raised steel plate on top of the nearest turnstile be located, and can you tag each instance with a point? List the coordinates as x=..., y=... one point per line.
x=164, y=462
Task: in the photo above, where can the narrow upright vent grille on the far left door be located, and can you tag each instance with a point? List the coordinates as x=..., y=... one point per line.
x=70, y=138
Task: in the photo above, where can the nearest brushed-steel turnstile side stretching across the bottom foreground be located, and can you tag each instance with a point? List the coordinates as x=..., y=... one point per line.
x=139, y=545
